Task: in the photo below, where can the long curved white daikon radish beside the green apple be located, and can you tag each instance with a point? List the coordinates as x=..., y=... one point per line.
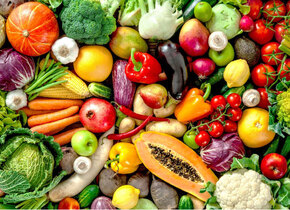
x=77, y=182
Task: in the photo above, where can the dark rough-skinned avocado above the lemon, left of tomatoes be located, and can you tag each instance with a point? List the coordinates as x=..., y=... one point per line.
x=248, y=50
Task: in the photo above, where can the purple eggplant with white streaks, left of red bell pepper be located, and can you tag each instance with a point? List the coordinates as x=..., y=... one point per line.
x=124, y=89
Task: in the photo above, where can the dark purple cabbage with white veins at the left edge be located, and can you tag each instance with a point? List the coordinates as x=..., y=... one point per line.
x=16, y=70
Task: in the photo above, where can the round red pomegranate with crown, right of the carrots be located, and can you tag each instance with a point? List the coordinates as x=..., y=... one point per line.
x=97, y=115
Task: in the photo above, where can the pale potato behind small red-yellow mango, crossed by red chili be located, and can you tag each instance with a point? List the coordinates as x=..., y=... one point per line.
x=139, y=106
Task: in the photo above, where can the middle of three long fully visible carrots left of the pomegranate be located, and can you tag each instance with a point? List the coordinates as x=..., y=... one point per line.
x=51, y=117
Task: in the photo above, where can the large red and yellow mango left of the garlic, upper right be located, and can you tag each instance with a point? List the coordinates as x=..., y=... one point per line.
x=193, y=38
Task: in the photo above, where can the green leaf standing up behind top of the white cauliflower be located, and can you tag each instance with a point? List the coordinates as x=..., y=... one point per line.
x=249, y=163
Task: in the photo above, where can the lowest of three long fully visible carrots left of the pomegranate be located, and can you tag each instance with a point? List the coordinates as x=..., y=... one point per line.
x=59, y=124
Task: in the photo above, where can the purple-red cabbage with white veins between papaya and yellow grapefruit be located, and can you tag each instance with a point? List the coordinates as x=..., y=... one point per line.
x=219, y=153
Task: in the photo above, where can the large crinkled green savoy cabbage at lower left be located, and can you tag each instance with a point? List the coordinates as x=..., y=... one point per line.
x=27, y=165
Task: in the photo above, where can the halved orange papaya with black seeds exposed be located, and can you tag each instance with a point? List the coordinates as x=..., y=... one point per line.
x=174, y=162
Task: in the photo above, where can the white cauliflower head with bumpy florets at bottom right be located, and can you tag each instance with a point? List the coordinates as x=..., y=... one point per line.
x=243, y=189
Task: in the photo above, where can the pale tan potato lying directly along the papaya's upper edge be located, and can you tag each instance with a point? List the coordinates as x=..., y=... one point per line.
x=173, y=128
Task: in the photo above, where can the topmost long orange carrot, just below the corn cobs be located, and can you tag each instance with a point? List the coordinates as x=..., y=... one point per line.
x=53, y=104
